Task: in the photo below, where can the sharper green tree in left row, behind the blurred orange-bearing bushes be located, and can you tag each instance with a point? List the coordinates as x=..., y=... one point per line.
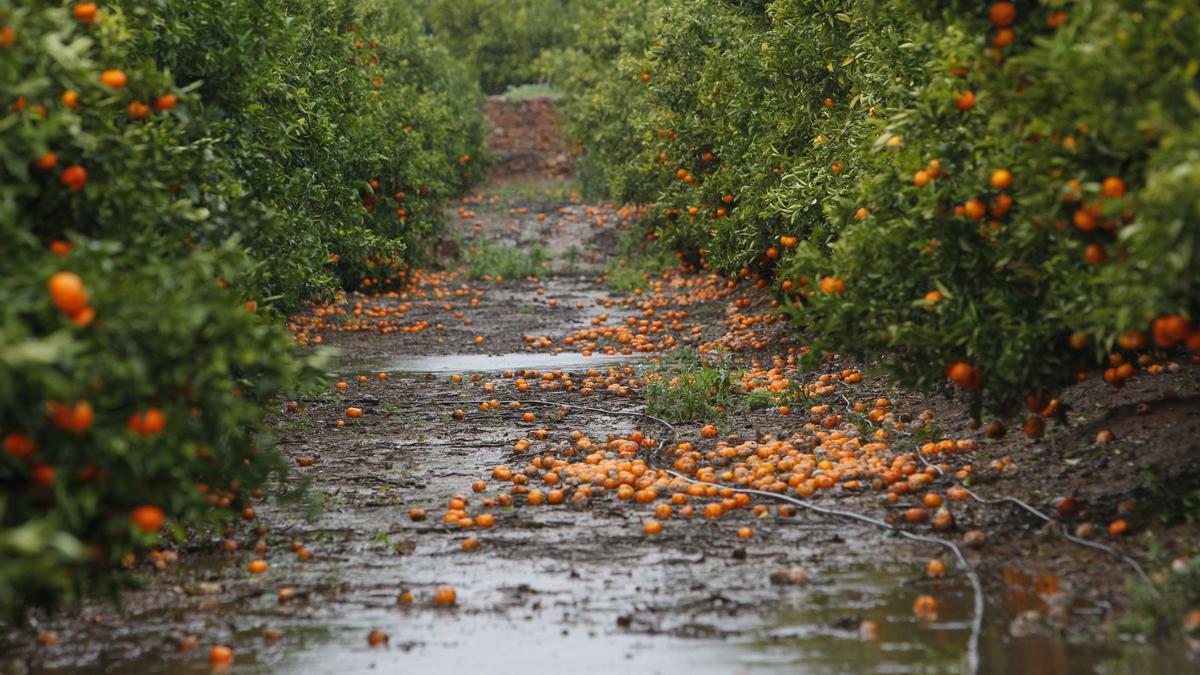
x=344, y=122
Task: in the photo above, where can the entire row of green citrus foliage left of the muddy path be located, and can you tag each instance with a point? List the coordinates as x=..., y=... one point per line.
x=169, y=174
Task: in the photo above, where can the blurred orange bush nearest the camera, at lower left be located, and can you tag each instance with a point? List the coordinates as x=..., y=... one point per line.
x=133, y=401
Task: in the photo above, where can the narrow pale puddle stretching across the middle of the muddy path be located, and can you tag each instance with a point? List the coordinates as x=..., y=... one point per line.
x=489, y=363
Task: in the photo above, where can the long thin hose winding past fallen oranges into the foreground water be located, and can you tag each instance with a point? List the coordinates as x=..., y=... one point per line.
x=976, y=586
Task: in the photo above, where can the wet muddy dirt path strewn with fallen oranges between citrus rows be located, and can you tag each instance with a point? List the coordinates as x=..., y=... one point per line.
x=578, y=587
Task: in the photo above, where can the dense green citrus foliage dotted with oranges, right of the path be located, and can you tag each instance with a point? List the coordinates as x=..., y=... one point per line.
x=994, y=194
